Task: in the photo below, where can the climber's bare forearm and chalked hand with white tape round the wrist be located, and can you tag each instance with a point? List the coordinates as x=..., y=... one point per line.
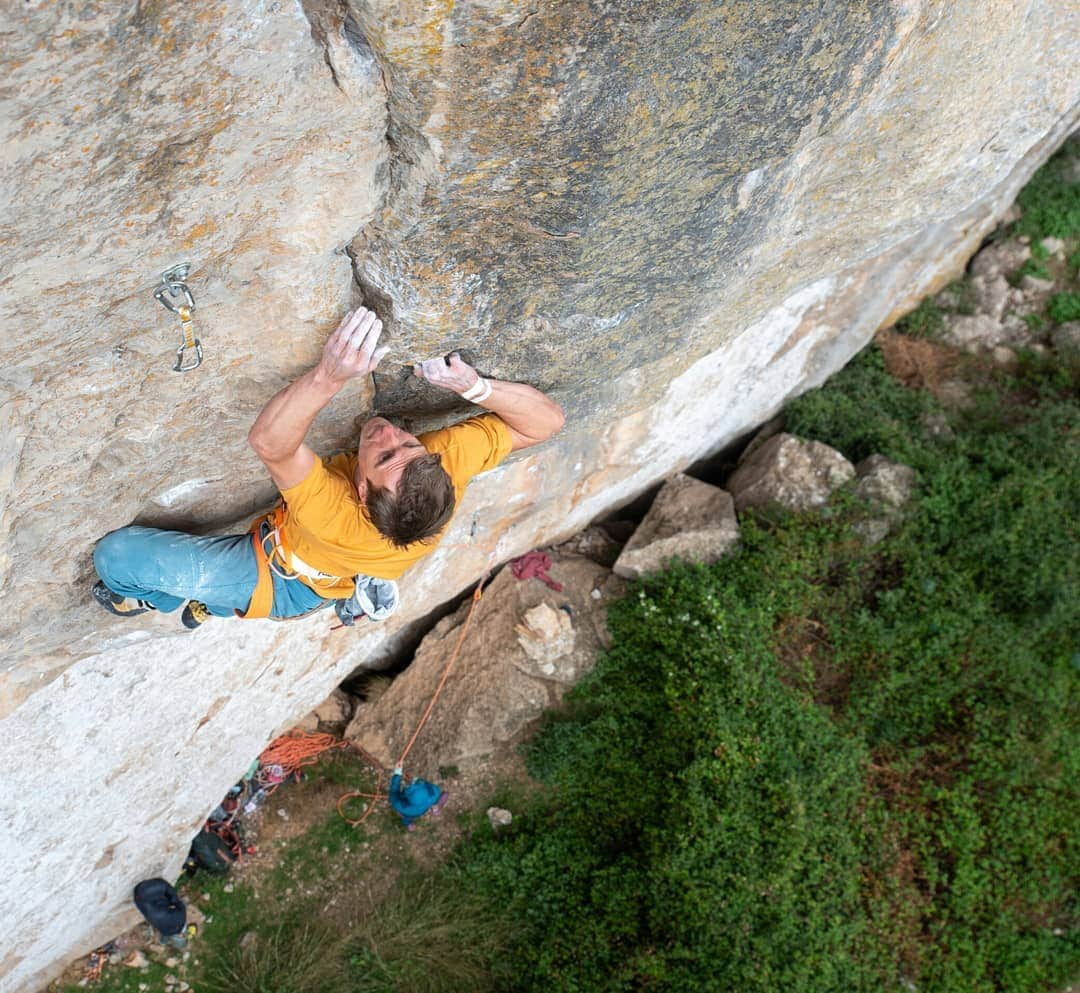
x=531, y=417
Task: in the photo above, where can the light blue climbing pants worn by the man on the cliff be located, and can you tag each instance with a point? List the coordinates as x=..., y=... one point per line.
x=167, y=568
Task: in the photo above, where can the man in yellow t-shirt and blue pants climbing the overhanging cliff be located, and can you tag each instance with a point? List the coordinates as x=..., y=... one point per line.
x=348, y=526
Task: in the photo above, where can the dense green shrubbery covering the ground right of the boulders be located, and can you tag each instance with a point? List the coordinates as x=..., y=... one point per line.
x=821, y=767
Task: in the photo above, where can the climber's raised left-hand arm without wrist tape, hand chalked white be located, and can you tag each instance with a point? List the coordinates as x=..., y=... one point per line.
x=279, y=432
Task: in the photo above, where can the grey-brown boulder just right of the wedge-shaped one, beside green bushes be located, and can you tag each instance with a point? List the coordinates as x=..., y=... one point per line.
x=791, y=473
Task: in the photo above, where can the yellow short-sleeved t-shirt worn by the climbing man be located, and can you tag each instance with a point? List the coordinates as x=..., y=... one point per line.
x=329, y=527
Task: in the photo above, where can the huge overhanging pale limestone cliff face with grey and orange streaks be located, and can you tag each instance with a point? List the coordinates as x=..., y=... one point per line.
x=672, y=216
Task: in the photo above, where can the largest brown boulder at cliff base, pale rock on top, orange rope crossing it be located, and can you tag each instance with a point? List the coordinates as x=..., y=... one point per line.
x=528, y=645
